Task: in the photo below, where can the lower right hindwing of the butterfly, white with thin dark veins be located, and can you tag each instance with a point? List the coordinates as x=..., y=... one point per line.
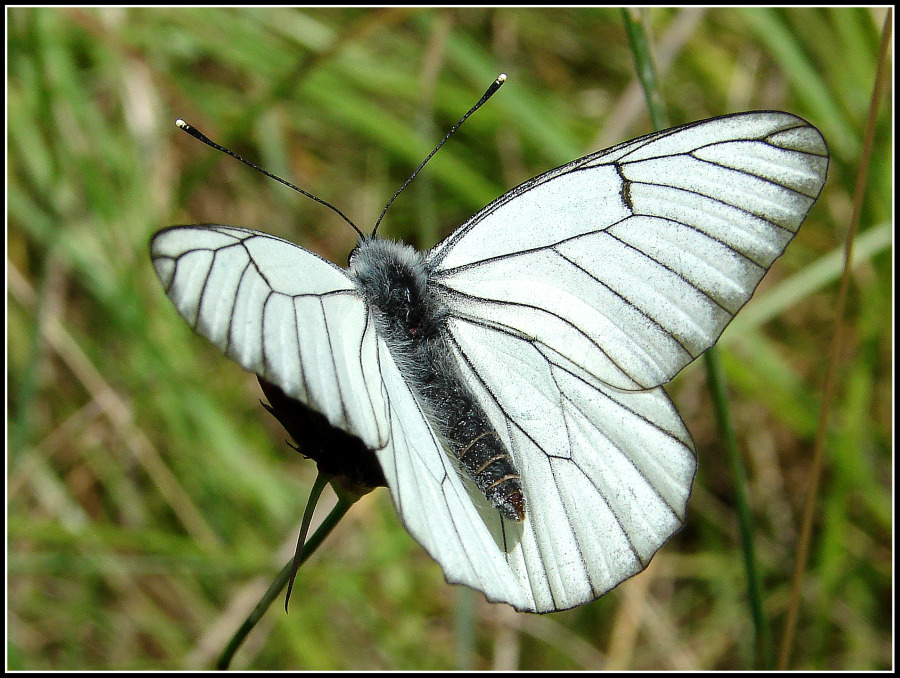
x=606, y=474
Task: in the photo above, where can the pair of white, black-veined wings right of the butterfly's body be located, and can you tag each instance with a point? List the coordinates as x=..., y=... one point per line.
x=594, y=284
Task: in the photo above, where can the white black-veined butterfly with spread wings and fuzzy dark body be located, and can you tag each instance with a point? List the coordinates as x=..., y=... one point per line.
x=552, y=317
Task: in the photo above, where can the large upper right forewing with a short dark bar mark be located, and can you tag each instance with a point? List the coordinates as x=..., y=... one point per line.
x=627, y=264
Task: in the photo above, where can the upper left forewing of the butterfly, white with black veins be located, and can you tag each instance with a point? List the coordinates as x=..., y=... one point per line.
x=281, y=312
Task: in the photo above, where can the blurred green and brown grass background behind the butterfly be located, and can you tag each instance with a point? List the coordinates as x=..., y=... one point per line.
x=151, y=499
